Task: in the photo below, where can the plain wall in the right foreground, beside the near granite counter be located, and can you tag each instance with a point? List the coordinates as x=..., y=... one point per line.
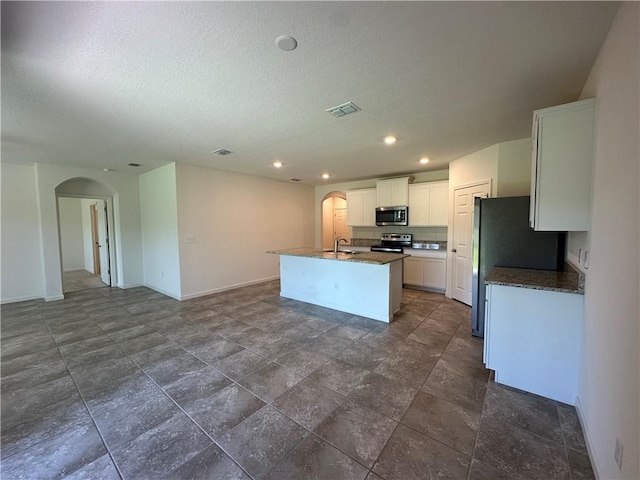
x=609, y=399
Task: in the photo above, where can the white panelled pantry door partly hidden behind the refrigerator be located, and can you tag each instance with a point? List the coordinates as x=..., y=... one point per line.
x=462, y=254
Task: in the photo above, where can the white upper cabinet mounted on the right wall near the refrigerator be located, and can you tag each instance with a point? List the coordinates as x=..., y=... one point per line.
x=562, y=160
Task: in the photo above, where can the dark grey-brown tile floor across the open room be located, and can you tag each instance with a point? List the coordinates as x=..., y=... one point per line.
x=111, y=383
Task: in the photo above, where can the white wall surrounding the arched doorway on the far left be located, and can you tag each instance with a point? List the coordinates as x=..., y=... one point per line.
x=126, y=212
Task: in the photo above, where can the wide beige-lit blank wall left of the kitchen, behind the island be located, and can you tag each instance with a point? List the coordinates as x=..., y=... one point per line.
x=234, y=219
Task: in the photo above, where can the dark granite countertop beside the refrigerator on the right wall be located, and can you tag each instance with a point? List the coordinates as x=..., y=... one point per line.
x=568, y=281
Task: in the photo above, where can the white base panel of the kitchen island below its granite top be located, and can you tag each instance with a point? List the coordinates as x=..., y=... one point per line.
x=360, y=288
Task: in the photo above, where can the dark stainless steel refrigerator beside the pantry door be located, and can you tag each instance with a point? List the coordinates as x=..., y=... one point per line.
x=502, y=238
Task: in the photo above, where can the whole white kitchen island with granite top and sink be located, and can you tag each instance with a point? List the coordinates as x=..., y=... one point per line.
x=368, y=284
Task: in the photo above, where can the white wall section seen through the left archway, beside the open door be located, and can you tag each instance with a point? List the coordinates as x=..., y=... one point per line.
x=72, y=245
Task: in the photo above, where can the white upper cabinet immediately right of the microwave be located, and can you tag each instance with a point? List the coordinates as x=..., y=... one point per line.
x=428, y=204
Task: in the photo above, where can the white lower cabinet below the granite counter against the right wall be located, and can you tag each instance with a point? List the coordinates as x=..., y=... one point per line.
x=533, y=338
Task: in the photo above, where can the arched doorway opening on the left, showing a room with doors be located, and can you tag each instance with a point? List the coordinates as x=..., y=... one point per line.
x=85, y=227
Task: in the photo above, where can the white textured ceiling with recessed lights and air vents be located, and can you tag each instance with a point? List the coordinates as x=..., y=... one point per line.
x=102, y=84
